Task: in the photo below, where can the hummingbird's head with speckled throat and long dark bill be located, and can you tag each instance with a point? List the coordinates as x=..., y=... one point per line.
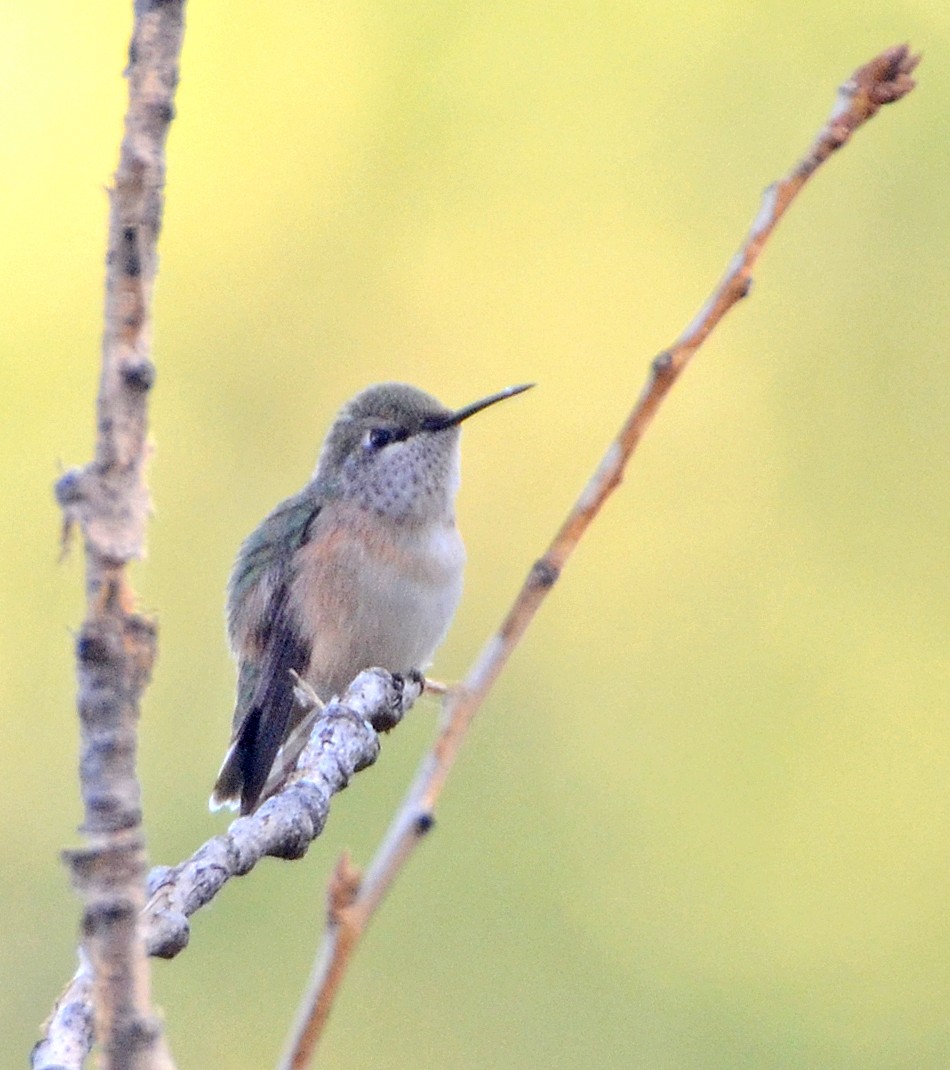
x=395, y=450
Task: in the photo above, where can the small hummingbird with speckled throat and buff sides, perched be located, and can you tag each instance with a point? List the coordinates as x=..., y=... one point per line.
x=361, y=569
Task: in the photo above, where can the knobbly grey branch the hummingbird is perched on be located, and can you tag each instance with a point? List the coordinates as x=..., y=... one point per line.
x=344, y=741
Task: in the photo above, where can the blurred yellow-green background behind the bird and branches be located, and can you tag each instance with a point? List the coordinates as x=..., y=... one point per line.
x=704, y=821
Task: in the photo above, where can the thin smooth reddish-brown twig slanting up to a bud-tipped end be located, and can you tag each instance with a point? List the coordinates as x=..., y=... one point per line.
x=883, y=81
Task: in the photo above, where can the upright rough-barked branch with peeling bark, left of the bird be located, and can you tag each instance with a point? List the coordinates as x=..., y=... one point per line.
x=109, y=500
